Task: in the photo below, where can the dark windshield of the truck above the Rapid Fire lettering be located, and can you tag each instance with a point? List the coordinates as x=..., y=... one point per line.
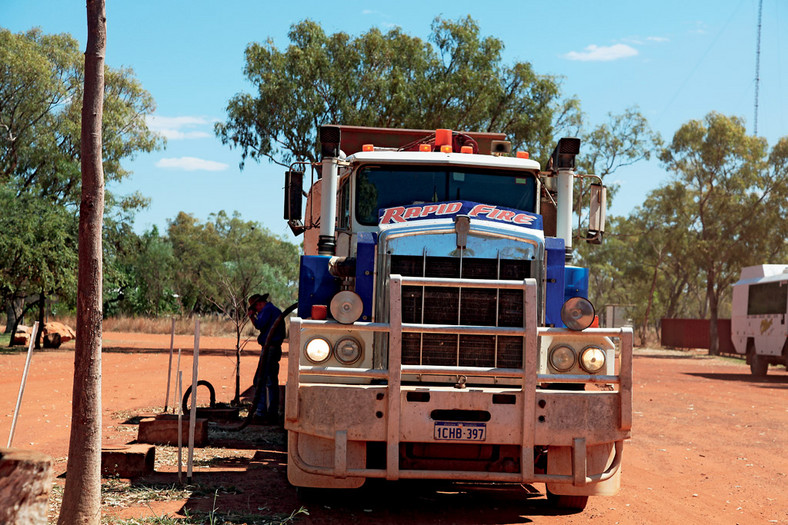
x=387, y=186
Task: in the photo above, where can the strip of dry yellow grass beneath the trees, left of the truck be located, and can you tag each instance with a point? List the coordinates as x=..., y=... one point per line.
x=210, y=326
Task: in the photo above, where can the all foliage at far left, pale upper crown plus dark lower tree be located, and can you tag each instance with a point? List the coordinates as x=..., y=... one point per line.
x=41, y=85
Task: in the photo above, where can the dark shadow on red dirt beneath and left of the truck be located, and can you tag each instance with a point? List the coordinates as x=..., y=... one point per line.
x=255, y=490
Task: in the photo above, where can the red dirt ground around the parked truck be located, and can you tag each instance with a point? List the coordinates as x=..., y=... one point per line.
x=709, y=443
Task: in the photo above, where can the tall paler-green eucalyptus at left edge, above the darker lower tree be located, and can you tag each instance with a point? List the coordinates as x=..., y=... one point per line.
x=41, y=94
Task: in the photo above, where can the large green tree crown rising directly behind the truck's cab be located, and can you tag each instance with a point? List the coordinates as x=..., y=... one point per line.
x=390, y=80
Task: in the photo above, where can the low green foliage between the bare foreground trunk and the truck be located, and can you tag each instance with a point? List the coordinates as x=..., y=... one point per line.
x=210, y=267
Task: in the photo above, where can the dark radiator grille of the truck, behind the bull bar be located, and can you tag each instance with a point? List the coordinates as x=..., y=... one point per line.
x=452, y=306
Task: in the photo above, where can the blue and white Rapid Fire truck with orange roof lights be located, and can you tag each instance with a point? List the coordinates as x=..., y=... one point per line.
x=441, y=332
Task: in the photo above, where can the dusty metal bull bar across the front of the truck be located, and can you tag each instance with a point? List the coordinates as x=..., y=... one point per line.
x=393, y=377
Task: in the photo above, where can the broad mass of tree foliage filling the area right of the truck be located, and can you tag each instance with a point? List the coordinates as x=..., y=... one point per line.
x=724, y=209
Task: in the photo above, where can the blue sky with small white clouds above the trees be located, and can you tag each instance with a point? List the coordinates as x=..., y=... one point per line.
x=675, y=60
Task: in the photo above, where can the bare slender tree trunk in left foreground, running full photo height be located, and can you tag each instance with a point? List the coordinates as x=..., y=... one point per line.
x=82, y=496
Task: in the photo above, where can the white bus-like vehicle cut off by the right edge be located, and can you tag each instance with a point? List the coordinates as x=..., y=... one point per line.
x=758, y=316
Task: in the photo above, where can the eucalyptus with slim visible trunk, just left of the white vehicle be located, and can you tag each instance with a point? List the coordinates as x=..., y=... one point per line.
x=737, y=200
